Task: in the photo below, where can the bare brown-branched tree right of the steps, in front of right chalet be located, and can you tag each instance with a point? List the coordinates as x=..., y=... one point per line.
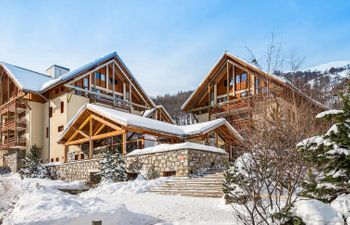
x=264, y=180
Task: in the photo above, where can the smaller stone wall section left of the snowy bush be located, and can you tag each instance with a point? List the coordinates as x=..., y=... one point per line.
x=75, y=170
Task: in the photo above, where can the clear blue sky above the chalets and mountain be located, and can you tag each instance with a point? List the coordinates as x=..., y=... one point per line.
x=169, y=45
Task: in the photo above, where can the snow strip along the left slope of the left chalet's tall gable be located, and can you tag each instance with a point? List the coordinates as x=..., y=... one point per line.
x=80, y=69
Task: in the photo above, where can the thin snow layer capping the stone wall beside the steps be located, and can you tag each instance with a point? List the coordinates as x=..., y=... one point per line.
x=174, y=147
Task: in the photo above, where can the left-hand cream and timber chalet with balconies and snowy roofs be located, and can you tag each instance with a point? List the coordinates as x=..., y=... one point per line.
x=35, y=108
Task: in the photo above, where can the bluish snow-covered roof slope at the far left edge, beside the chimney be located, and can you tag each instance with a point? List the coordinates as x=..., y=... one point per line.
x=26, y=79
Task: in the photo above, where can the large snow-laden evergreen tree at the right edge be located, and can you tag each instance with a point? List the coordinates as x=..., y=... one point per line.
x=329, y=155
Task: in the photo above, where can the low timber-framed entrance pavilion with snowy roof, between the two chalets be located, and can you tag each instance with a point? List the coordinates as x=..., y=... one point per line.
x=97, y=127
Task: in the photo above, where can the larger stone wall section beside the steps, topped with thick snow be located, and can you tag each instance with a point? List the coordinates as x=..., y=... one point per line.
x=183, y=162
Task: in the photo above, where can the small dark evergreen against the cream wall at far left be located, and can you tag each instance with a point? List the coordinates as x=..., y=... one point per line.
x=32, y=167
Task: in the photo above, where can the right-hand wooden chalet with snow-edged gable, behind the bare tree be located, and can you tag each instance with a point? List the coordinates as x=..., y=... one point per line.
x=232, y=88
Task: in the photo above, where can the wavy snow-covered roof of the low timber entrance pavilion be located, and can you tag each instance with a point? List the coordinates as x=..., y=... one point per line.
x=131, y=120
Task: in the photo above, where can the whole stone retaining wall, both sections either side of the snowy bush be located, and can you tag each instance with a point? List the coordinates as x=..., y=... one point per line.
x=182, y=162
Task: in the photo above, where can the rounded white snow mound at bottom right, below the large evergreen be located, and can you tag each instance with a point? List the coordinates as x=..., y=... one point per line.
x=314, y=212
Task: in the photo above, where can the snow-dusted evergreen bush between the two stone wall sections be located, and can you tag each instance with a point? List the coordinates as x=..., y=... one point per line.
x=112, y=166
